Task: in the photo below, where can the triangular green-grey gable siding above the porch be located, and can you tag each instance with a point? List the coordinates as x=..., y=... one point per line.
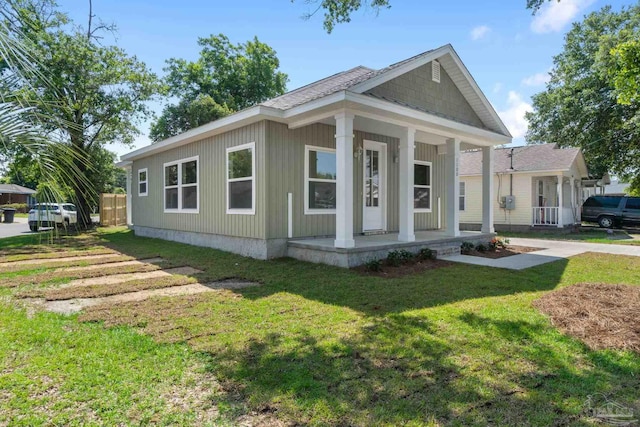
x=416, y=89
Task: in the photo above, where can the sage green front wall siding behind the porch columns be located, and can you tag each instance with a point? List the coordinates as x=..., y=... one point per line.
x=285, y=150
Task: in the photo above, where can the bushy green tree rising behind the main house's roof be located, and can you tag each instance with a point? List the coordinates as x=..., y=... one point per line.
x=224, y=79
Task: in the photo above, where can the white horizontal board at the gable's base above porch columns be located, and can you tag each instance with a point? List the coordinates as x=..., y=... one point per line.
x=474, y=134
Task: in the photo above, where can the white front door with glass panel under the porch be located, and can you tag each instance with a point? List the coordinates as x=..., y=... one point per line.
x=374, y=186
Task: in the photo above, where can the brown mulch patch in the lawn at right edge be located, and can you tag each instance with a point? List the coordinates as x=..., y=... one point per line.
x=601, y=315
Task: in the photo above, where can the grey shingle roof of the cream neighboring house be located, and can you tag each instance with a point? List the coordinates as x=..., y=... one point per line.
x=528, y=158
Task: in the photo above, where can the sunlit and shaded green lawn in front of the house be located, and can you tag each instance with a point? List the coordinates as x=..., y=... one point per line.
x=316, y=345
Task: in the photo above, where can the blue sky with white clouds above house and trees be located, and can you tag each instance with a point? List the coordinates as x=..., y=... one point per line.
x=507, y=50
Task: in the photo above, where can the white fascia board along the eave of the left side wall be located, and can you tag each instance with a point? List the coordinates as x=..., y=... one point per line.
x=233, y=121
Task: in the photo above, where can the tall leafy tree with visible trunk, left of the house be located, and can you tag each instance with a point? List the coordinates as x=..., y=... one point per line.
x=88, y=93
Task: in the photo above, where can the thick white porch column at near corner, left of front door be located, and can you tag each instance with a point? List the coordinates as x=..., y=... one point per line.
x=344, y=181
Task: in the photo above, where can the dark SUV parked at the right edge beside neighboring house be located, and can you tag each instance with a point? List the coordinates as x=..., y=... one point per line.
x=612, y=211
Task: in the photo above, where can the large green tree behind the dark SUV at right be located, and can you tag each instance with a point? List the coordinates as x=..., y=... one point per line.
x=581, y=105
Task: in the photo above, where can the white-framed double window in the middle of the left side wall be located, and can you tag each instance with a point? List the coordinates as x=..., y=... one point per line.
x=181, y=188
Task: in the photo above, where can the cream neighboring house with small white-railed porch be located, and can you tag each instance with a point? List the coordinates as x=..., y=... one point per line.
x=534, y=185
